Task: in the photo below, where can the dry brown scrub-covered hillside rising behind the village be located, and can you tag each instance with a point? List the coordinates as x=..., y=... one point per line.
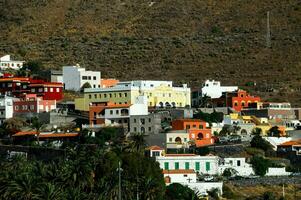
x=184, y=41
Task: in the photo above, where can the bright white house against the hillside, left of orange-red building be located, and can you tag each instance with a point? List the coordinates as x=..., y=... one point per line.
x=214, y=89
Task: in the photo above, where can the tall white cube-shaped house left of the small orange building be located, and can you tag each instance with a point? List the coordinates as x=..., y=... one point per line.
x=74, y=77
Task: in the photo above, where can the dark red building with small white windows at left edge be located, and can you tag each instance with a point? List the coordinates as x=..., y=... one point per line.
x=18, y=86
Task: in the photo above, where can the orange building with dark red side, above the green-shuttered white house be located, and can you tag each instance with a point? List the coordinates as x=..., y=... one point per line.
x=198, y=133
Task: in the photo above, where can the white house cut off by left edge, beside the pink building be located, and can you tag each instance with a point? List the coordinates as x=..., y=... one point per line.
x=6, y=108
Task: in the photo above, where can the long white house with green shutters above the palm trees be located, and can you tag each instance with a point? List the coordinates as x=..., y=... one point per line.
x=201, y=164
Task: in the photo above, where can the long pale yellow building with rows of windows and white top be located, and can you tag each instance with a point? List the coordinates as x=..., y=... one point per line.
x=158, y=93
